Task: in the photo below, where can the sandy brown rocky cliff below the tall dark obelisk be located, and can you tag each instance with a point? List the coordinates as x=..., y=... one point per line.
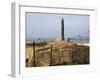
x=61, y=53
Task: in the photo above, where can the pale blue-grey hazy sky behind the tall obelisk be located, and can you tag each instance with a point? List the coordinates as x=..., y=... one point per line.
x=44, y=25
